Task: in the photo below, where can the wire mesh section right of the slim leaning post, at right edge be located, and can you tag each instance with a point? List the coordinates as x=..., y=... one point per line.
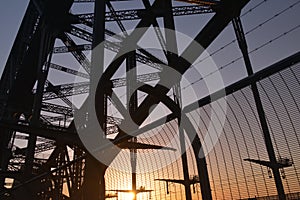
x=280, y=94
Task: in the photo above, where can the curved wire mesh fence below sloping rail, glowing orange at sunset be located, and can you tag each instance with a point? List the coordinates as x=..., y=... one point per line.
x=230, y=175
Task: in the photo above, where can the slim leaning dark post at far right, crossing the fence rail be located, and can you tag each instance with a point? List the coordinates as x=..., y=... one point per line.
x=260, y=110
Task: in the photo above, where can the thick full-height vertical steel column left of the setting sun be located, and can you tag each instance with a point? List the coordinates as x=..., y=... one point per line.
x=94, y=183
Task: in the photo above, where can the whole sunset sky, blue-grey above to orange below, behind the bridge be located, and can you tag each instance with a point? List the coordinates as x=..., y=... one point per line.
x=272, y=30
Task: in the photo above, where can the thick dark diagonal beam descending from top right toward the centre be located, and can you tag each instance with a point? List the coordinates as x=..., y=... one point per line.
x=205, y=37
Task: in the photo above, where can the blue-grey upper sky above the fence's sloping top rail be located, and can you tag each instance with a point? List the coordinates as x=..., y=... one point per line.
x=12, y=11
